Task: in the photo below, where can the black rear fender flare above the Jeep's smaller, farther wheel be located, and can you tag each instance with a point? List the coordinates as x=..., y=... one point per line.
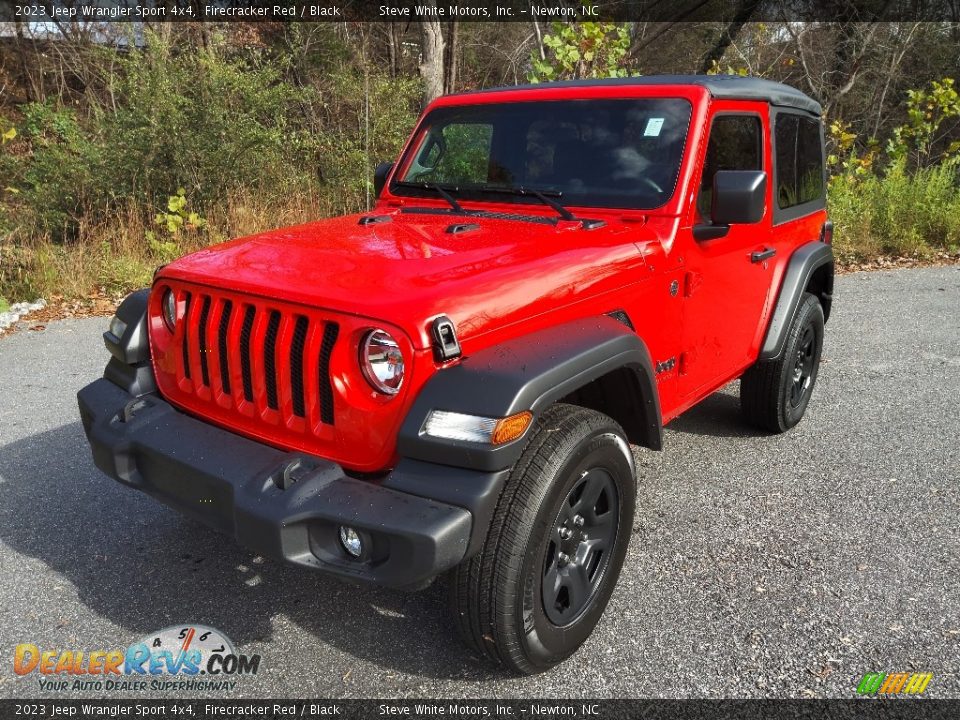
x=804, y=262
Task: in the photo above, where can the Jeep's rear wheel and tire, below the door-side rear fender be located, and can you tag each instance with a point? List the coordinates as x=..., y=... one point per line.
x=774, y=394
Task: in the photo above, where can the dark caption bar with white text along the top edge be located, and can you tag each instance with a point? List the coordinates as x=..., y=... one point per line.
x=138, y=11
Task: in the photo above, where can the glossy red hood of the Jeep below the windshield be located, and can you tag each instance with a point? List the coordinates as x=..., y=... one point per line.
x=414, y=267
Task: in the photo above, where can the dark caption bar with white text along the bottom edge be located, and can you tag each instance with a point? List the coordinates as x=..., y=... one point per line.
x=914, y=708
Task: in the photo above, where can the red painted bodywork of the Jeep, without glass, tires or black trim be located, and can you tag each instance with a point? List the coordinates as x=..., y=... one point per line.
x=501, y=281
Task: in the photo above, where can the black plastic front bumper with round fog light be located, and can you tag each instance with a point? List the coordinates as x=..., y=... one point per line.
x=234, y=485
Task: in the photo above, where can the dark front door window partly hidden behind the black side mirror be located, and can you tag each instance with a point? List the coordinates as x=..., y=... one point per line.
x=735, y=144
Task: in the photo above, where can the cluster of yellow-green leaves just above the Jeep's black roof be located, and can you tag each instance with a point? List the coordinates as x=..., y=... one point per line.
x=581, y=50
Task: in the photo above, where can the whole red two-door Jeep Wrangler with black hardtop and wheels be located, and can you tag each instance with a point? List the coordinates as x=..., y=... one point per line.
x=450, y=381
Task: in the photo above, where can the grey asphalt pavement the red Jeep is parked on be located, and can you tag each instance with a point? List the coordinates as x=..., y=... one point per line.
x=759, y=566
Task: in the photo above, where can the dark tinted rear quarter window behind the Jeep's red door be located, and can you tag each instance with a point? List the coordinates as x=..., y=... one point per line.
x=799, y=160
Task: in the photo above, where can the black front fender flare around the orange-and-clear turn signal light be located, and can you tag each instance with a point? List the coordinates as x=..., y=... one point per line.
x=530, y=373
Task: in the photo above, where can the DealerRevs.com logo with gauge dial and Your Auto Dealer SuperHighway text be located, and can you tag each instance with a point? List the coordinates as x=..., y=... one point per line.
x=181, y=657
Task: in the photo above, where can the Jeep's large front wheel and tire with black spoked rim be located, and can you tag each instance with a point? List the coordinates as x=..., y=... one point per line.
x=517, y=602
